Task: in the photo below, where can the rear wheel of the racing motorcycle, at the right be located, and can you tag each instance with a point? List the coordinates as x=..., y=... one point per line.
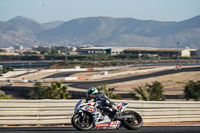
x=132, y=123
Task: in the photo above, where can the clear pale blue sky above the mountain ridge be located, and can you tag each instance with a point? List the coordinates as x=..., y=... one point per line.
x=50, y=10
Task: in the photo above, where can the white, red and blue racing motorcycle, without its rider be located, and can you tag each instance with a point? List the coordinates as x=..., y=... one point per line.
x=92, y=115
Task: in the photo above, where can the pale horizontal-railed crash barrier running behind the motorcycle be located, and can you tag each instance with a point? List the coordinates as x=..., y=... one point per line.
x=31, y=112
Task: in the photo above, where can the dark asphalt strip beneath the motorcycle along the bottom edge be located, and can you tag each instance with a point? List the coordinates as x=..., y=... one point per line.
x=145, y=129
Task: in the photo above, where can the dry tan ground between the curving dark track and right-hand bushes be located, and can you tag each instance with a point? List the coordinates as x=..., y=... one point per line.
x=173, y=83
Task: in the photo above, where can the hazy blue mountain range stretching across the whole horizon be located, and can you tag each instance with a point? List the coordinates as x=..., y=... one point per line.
x=104, y=31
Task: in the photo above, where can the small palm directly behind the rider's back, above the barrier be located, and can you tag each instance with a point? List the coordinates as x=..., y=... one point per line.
x=108, y=91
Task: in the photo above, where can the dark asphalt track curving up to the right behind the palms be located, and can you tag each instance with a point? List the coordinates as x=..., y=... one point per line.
x=88, y=84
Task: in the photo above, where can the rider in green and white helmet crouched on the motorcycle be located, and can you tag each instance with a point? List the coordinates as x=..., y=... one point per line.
x=99, y=96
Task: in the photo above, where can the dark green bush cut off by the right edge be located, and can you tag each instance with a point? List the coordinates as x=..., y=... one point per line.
x=192, y=90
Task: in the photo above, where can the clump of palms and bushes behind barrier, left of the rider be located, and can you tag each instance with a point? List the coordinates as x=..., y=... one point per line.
x=55, y=91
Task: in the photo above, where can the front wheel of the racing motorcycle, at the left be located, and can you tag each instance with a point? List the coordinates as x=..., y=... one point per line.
x=82, y=121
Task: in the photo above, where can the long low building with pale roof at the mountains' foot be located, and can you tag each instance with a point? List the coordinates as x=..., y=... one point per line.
x=149, y=51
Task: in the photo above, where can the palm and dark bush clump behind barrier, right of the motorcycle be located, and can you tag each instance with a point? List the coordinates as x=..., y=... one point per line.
x=149, y=92
